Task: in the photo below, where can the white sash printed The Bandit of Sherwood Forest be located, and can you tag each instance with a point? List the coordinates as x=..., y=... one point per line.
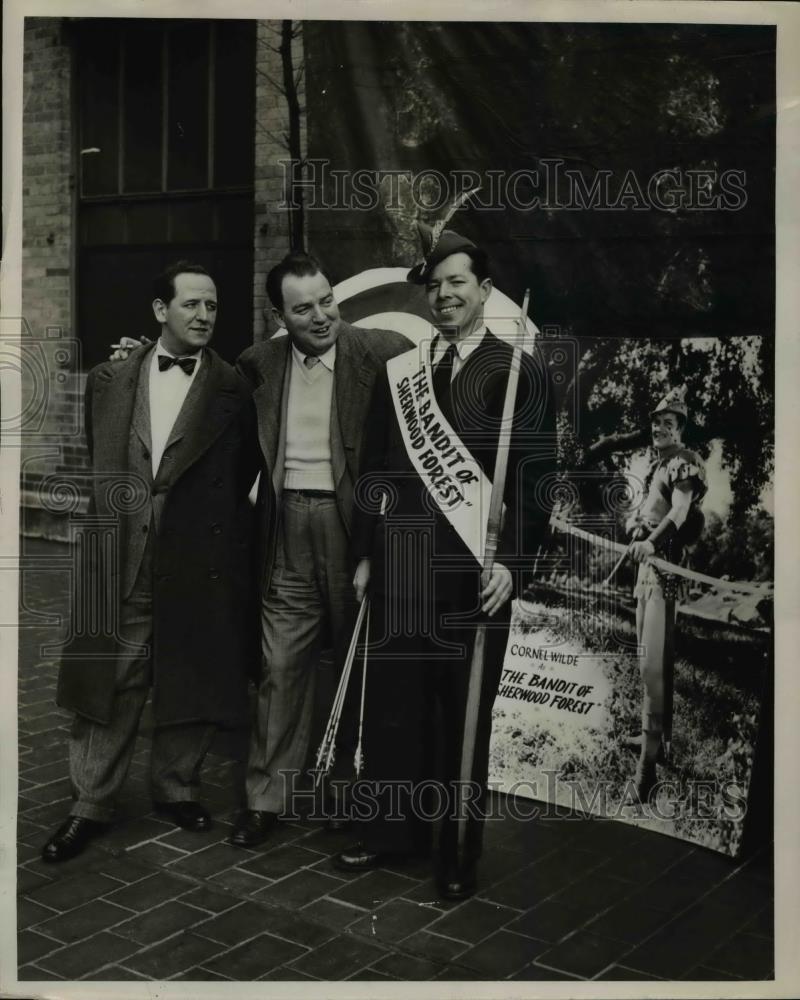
x=452, y=477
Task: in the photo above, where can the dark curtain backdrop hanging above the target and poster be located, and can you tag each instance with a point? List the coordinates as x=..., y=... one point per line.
x=601, y=97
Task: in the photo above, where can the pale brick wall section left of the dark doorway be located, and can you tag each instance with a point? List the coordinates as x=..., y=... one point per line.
x=52, y=386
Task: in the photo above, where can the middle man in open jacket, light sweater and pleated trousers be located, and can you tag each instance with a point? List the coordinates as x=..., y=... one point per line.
x=311, y=393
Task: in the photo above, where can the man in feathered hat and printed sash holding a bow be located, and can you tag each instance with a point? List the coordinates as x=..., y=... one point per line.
x=430, y=452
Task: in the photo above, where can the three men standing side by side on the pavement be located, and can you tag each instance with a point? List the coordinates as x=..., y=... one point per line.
x=323, y=415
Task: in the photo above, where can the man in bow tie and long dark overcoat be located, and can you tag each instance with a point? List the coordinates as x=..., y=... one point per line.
x=171, y=437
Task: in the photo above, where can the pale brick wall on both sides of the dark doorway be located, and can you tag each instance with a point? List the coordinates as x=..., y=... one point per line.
x=54, y=461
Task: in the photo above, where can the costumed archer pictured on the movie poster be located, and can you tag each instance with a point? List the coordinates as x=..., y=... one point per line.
x=668, y=520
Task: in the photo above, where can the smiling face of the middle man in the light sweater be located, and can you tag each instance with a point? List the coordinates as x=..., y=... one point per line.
x=310, y=313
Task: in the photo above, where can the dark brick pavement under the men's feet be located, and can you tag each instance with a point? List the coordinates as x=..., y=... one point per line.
x=559, y=899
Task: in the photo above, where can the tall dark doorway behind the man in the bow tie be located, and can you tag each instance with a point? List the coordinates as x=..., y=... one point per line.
x=166, y=123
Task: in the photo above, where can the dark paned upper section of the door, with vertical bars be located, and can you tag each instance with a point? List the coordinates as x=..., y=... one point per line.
x=162, y=105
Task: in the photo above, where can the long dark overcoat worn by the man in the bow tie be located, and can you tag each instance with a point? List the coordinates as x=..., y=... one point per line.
x=205, y=607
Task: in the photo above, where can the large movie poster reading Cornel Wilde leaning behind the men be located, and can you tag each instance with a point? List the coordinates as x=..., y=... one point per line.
x=569, y=716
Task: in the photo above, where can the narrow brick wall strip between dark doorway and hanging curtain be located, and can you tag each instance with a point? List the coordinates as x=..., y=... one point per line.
x=271, y=221
